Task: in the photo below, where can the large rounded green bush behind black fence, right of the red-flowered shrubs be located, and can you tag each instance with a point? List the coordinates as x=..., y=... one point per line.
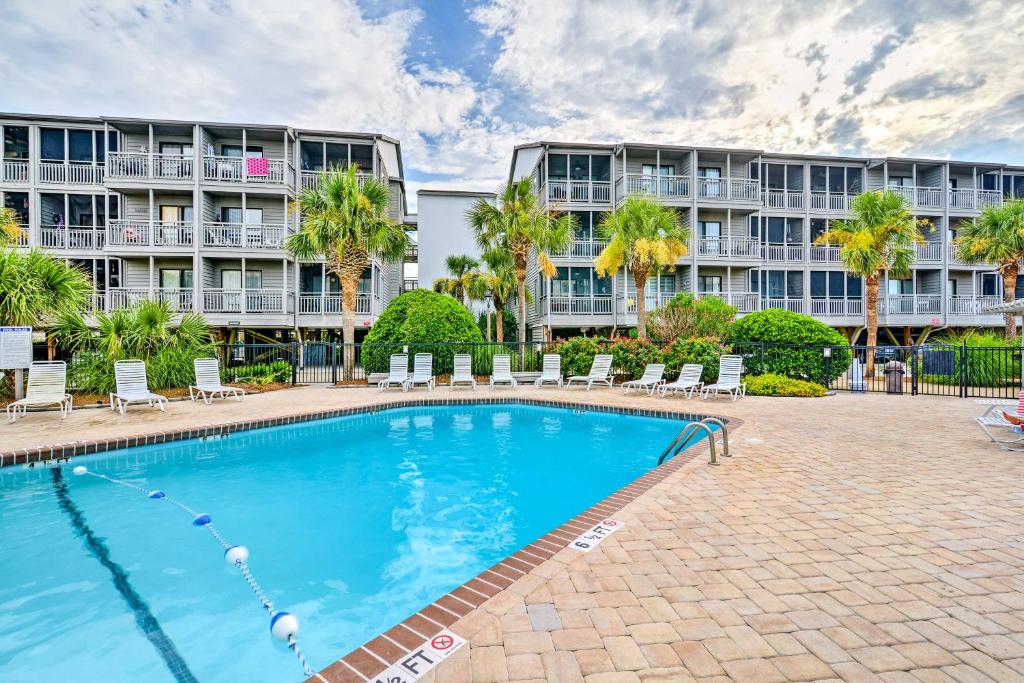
x=791, y=345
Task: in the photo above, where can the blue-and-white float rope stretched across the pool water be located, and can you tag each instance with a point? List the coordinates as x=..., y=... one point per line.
x=284, y=626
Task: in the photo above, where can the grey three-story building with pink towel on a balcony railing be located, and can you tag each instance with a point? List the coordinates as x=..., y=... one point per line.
x=193, y=214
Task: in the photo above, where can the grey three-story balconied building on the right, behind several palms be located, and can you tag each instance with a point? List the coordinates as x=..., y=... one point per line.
x=755, y=218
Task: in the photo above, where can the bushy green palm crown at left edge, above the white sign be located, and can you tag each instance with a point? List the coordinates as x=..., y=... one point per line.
x=36, y=286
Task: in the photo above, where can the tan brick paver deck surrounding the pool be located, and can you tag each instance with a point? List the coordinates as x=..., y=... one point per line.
x=850, y=538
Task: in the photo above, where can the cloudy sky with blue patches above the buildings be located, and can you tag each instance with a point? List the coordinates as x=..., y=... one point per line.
x=460, y=83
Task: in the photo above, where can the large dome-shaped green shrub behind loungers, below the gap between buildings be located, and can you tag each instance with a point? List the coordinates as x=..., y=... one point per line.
x=428, y=323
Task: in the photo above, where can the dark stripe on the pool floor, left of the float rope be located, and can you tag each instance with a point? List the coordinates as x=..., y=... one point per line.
x=144, y=618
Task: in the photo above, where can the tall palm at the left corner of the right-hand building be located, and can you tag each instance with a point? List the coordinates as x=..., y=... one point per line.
x=520, y=226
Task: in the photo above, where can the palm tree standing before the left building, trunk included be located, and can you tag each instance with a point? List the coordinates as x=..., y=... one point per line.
x=346, y=222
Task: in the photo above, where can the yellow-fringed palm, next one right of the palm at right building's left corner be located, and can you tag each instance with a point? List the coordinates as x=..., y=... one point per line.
x=647, y=238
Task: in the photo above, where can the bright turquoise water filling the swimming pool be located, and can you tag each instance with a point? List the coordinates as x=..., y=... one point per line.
x=354, y=524
